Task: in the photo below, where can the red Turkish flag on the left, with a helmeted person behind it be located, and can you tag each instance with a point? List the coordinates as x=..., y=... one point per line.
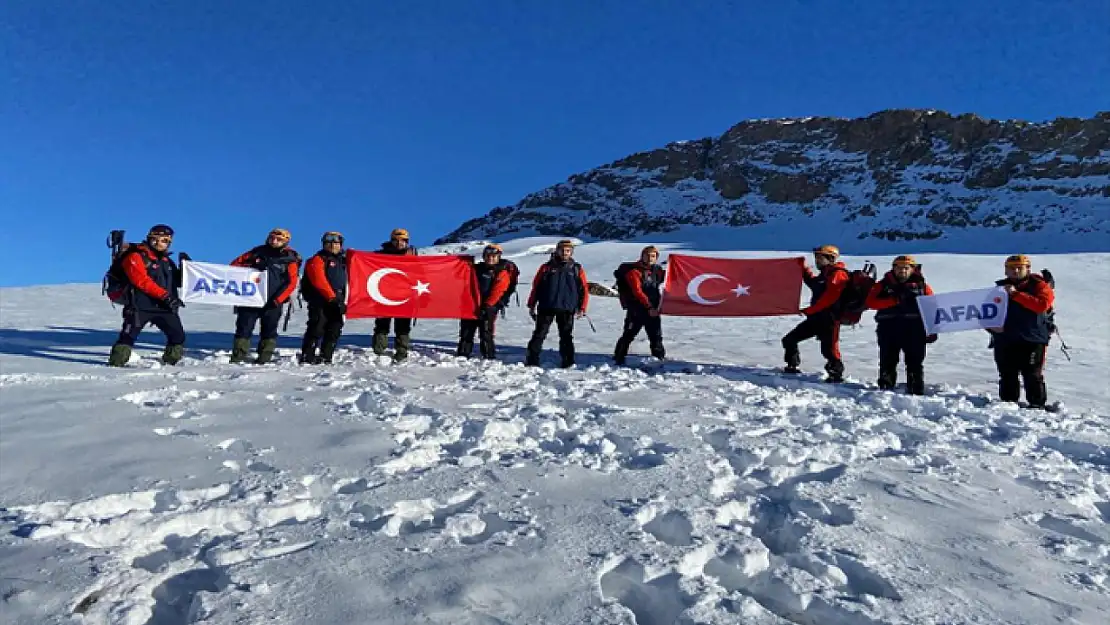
x=387, y=286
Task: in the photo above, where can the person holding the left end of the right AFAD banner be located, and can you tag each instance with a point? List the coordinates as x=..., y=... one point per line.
x=900, y=327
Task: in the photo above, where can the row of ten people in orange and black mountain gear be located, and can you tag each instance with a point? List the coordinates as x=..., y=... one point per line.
x=560, y=295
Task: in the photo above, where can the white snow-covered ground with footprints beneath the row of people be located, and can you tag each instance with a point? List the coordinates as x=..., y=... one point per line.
x=443, y=491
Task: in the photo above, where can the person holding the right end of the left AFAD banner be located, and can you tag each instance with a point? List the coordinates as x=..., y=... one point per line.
x=281, y=264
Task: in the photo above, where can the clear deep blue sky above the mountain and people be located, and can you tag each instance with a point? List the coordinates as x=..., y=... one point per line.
x=227, y=119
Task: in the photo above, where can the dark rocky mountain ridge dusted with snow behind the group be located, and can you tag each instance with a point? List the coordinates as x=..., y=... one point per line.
x=895, y=176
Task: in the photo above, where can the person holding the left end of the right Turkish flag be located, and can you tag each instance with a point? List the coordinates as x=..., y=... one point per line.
x=640, y=287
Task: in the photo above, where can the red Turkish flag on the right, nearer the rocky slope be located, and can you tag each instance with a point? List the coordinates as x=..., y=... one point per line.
x=703, y=287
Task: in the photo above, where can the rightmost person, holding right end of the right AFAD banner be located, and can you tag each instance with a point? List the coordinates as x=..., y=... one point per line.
x=1022, y=346
